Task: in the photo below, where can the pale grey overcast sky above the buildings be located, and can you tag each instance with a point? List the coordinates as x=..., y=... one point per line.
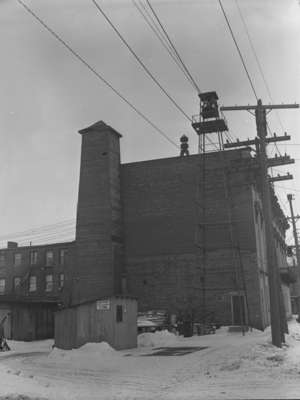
x=47, y=95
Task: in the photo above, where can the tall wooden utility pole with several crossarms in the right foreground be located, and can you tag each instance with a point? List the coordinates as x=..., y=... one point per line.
x=261, y=142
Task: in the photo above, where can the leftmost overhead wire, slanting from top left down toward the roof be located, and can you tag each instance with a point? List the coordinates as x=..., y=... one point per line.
x=83, y=61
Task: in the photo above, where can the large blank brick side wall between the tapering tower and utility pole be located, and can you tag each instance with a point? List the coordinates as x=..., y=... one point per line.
x=162, y=203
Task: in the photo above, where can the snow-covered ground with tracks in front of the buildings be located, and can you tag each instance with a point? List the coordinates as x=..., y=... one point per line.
x=225, y=366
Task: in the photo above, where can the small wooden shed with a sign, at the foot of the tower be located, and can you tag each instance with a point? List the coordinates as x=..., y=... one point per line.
x=112, y=320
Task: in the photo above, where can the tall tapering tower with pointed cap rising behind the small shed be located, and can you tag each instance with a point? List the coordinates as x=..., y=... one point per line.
x=99, y=242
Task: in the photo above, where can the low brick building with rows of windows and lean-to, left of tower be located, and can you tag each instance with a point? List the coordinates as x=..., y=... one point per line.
x=32, y=285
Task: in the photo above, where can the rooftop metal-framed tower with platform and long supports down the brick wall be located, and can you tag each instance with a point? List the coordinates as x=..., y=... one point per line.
x=210, y=128
